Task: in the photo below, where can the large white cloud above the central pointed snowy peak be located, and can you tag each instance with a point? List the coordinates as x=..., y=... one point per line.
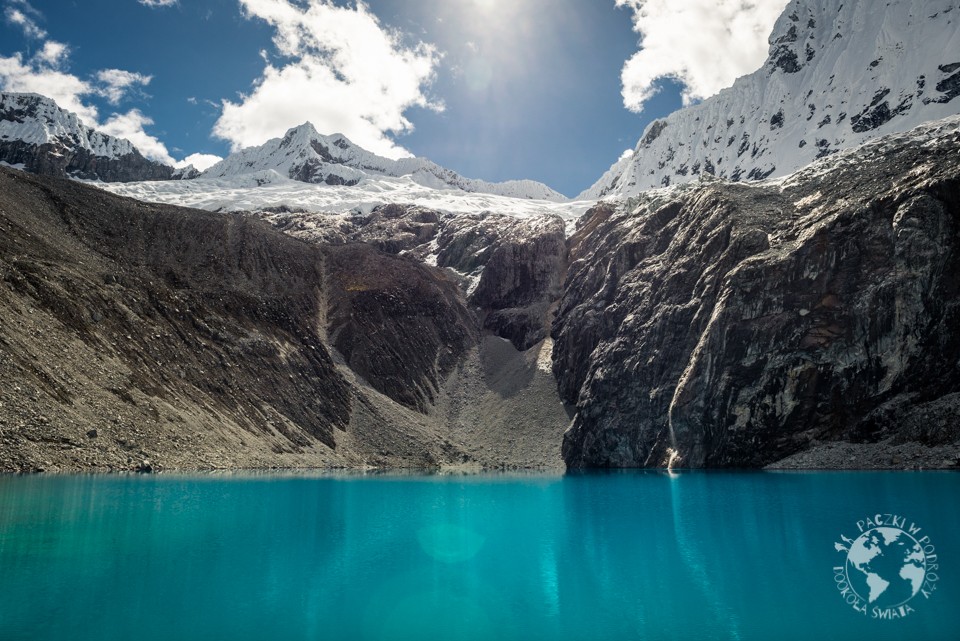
x=346, y=74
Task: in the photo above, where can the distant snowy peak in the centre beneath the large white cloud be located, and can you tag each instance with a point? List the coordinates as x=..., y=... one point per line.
x=305, y=155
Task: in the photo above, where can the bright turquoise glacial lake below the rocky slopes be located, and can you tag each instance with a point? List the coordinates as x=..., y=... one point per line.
x=596, y=556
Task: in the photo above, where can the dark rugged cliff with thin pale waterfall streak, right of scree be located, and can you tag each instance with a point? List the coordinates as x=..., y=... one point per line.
x=740, y=325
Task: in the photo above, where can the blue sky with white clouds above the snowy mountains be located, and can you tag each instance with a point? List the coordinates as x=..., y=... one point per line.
x=494, y=89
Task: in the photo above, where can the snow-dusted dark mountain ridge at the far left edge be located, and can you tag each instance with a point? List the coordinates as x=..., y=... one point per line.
x=39, y=136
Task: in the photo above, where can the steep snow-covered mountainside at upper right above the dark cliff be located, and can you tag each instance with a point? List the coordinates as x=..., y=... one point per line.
x=839, y=73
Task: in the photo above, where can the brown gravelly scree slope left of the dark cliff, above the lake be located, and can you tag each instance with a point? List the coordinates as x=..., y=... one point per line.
x=140, y=336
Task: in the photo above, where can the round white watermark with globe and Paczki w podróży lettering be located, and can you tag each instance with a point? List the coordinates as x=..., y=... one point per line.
x=889, y=566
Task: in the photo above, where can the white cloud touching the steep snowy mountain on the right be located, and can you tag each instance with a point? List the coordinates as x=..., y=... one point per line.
x=703, y=44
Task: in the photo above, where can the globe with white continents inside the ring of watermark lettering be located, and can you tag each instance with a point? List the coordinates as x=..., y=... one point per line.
x=886, y=567
